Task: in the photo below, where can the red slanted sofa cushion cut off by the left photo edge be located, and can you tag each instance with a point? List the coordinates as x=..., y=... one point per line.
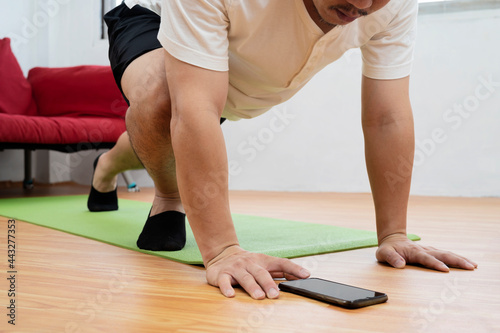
x=15, y=90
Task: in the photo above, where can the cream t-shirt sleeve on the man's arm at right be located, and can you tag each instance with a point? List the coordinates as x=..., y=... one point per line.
x=389, y=53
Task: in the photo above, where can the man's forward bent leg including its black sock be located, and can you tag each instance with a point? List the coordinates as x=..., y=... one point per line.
x=148, y=125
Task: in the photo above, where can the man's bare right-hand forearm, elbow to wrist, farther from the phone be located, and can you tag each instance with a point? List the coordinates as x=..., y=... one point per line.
x=389, y=150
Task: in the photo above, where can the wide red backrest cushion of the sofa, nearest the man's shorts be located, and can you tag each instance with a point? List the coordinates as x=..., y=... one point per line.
x=76, y=91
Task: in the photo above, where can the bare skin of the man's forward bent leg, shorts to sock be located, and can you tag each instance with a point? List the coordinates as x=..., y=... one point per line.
x=148, y=125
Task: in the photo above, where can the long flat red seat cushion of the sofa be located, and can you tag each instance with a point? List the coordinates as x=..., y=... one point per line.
x=59, y=130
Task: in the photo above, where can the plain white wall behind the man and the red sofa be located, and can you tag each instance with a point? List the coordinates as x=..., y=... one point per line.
x=314, y=142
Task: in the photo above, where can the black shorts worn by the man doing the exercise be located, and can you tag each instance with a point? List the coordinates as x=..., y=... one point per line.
x=132, y=33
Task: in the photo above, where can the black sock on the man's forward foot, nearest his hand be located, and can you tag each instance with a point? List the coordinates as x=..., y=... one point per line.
x=164, y=232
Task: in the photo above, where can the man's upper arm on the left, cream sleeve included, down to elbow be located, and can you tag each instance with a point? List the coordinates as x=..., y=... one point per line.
x=193, y=34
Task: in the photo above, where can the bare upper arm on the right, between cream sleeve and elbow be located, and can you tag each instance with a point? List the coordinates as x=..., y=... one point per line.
x=384, y=101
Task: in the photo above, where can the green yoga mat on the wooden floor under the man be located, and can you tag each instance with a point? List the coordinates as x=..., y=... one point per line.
x=281, y=238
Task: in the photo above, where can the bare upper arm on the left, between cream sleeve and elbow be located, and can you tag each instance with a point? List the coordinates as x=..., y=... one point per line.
x=195, y=90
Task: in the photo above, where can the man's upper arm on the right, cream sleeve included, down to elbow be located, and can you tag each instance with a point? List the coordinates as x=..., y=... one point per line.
x=387, y=60
